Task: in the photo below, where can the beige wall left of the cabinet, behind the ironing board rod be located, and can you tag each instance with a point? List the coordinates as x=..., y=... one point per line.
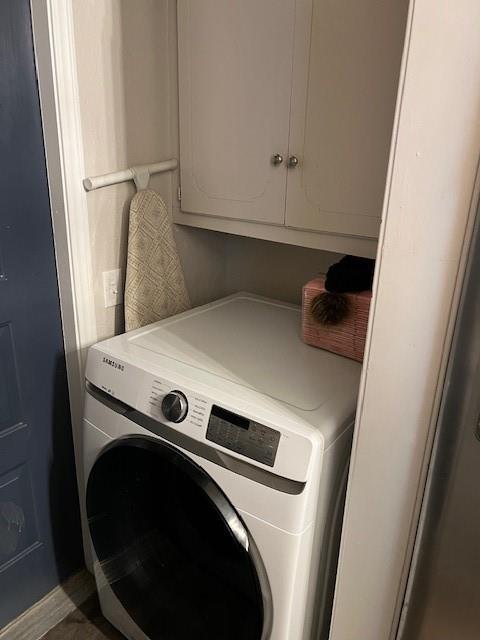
x=124, y=118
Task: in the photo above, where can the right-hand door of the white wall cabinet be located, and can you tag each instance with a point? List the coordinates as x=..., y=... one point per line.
x=345, y=78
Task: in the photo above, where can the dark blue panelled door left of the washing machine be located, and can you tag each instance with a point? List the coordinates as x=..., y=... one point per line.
x=39, y=522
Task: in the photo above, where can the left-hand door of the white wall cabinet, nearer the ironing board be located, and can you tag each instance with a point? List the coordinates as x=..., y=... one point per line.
x=235, y=68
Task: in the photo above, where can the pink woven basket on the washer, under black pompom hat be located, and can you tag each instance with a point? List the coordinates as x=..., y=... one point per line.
x=346, y=338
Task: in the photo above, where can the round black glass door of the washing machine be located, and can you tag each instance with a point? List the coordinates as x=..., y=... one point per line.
x=176, y=554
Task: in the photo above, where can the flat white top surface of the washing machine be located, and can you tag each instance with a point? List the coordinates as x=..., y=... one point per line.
x=256, y=343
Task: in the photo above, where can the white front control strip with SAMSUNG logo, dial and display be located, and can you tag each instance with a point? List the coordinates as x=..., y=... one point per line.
x=209, y=416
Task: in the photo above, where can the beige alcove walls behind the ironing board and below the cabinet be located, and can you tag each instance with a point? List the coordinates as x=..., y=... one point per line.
x=127, y=72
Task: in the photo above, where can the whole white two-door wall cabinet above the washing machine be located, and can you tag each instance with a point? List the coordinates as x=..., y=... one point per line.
x=314, y=81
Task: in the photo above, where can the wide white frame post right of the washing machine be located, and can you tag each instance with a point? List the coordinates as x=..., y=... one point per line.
x=427, y=222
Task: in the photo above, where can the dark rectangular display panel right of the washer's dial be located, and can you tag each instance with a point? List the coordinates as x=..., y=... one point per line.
x=244, y=436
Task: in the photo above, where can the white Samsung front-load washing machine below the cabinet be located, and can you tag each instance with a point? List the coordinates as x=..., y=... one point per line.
x=215, y=454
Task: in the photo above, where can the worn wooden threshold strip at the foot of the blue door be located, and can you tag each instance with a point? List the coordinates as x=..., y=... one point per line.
x=50, y=610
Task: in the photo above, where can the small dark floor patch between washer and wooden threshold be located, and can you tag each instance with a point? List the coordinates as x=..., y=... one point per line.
x=85, y=623
